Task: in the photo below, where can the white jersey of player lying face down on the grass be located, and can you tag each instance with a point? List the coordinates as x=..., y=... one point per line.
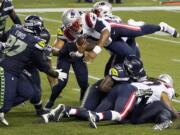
x=157, y=90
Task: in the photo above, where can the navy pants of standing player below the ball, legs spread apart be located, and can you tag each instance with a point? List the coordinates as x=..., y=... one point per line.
x=81, y=73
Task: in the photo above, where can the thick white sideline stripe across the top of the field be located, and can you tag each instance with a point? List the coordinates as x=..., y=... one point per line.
x=149, y=8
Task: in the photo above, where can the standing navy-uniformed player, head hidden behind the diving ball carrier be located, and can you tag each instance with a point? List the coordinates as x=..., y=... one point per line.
x=67, y=56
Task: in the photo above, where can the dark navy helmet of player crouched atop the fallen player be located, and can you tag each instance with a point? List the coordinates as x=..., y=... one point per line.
x=135, y=68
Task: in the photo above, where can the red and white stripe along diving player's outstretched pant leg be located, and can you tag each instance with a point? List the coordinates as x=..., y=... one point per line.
x=136, y=28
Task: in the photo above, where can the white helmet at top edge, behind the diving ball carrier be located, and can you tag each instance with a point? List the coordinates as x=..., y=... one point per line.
x=102, y=8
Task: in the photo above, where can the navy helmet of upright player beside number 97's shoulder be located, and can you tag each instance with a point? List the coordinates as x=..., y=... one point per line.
x=34, y=24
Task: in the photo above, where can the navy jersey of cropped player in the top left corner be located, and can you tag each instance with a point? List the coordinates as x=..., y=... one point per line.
x=5, y=9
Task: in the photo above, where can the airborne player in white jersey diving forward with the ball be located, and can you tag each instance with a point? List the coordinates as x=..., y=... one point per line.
x=106, y=34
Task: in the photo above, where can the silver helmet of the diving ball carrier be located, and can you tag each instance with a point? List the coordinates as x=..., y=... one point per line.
x=71, y=19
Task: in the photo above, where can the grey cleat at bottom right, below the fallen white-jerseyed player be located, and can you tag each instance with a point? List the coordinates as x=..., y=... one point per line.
x=163, y=125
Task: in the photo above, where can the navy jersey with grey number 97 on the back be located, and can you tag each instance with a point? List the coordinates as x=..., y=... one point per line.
x=21, y=49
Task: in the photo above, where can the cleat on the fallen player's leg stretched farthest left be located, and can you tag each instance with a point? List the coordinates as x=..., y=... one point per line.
x=58, y=112
